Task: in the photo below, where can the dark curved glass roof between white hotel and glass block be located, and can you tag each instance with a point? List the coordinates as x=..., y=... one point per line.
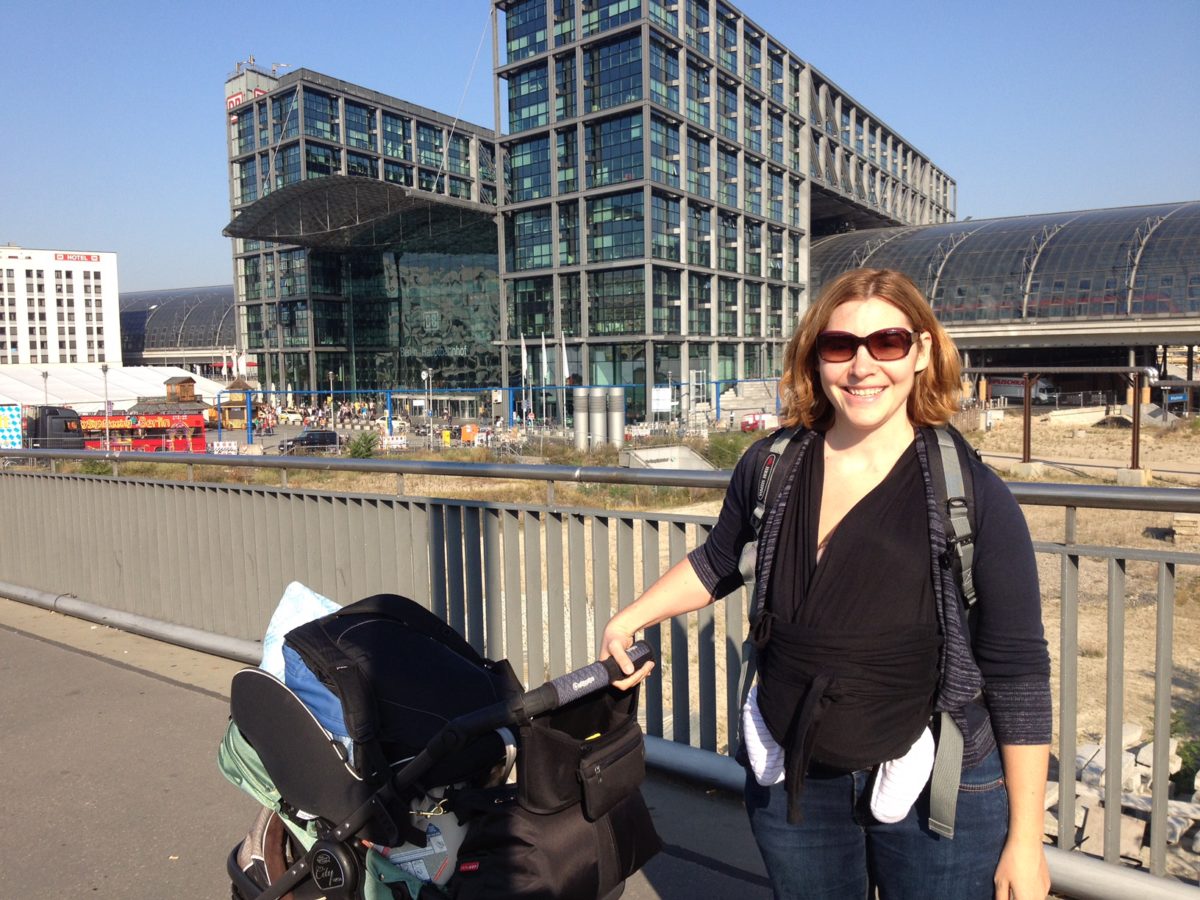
x=184, y=319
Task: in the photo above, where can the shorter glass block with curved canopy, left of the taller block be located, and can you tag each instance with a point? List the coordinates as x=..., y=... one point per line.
x=365, y=244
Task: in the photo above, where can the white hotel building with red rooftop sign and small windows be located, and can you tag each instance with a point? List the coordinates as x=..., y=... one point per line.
x=58, y=307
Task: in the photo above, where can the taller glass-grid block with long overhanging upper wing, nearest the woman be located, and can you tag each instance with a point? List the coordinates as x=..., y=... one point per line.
x=667, y=164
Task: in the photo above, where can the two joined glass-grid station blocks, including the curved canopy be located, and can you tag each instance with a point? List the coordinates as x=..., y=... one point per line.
x=646, y=200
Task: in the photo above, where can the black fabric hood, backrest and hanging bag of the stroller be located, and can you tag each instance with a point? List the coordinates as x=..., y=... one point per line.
x=573, y=827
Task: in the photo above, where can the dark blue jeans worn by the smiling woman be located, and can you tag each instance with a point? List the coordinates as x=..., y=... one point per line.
x=839, y=850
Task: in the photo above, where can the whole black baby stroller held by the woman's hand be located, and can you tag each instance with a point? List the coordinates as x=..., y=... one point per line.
x=383, y=764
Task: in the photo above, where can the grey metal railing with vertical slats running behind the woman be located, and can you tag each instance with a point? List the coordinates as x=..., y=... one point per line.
x=532, y=581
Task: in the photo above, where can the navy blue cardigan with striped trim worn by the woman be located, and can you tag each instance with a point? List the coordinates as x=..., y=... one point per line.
x=1006, y=658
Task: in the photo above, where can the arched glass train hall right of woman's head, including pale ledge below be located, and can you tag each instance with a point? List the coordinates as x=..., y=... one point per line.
x=1107, y=287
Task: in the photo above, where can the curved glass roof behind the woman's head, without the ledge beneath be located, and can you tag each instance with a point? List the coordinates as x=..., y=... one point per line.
x=1108, y=263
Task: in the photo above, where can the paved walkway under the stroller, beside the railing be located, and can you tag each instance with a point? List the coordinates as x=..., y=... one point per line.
x=112, y=790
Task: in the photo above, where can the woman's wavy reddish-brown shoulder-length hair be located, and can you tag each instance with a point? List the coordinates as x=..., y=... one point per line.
x=937, y=389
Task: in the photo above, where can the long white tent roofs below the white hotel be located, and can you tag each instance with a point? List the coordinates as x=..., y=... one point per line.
x=82, y=387
